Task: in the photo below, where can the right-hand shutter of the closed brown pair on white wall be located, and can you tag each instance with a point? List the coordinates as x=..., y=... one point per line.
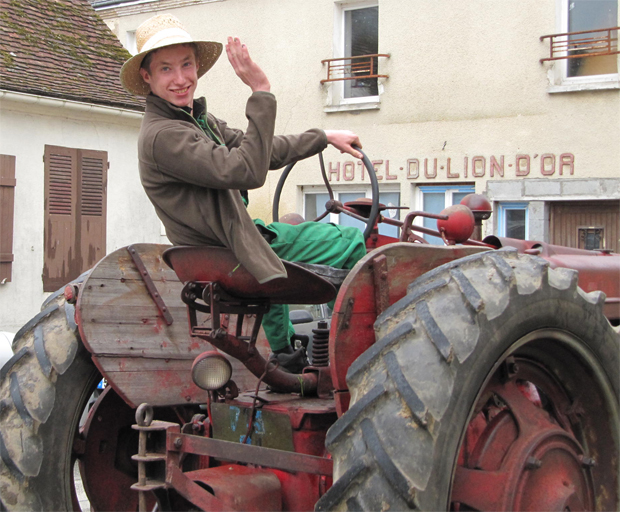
x=91, y=237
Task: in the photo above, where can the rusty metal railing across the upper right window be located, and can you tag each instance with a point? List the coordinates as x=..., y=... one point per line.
x=587, y=43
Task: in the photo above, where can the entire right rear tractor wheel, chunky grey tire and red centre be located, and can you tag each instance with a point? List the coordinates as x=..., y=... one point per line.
x=493, y=382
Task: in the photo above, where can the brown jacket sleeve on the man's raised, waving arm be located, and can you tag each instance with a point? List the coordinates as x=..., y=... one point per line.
x=185, y=154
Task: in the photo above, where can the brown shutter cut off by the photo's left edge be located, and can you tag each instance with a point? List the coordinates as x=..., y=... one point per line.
x=7, y=203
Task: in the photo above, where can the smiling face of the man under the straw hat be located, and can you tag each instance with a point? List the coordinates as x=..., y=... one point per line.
x=172, y=74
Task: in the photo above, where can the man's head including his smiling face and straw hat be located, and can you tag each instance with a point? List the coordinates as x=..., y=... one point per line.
x=163, y=43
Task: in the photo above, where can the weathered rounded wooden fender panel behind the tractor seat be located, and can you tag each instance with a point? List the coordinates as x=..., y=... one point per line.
x=142, y=357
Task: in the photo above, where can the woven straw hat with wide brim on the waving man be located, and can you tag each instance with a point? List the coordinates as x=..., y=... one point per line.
x=157, y=32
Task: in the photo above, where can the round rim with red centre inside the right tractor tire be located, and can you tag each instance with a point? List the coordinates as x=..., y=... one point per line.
x=536, y=438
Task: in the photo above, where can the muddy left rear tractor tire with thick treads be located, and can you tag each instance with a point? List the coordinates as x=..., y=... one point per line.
x=44, y=388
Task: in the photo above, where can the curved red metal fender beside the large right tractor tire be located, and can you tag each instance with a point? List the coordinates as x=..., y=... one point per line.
x=352, y=329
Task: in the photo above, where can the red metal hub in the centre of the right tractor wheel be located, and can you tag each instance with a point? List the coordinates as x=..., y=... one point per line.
x=518, y=454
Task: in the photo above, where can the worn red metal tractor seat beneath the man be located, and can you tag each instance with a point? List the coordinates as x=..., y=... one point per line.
x=206, y=264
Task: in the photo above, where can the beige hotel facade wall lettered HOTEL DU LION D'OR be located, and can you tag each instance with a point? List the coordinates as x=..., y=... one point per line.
x=465, y=84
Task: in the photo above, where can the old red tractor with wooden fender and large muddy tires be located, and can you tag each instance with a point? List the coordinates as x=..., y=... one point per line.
x=480, y=375
